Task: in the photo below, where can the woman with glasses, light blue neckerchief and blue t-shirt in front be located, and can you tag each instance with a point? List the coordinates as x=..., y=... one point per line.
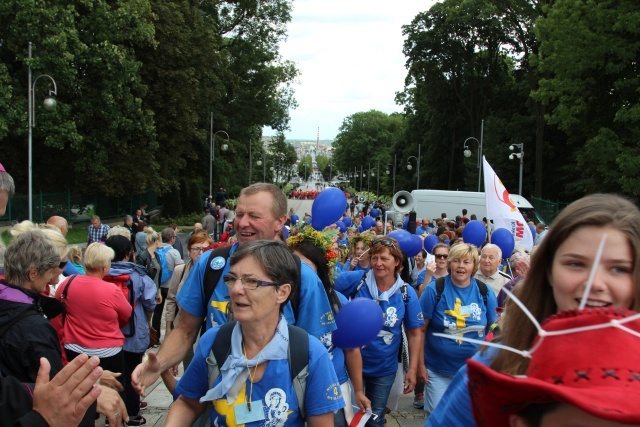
x=255, y=386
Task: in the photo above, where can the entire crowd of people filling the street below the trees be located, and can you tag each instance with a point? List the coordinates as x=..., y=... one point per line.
x=78, y=329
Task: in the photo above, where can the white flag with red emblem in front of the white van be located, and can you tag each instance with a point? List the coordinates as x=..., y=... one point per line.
x=502, y=210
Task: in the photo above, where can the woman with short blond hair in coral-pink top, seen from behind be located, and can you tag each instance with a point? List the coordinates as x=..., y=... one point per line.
x=94, y=328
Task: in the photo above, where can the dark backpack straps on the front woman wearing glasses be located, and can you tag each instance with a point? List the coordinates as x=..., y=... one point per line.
x=298, y=357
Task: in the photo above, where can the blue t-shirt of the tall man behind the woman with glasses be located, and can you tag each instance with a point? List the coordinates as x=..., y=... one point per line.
x=314, y=312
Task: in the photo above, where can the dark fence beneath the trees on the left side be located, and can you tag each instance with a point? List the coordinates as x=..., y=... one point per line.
x=76, y=208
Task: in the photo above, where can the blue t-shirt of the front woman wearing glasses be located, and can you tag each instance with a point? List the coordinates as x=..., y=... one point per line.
x=275, y=388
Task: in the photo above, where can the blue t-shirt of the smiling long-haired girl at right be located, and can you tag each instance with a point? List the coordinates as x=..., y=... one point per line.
x=454, y=408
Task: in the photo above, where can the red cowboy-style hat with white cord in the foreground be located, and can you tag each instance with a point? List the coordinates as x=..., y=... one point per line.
x=597, y=371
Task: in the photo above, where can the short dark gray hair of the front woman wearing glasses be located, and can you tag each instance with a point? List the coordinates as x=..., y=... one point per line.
x=275, y=259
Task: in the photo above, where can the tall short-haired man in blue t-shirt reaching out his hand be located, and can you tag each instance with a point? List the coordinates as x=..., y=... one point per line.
x=261, y=212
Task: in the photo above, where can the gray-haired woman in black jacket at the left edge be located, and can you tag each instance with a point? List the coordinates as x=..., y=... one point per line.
x=31, y=262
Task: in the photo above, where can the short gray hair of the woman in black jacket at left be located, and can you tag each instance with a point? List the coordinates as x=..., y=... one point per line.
x=31, y=249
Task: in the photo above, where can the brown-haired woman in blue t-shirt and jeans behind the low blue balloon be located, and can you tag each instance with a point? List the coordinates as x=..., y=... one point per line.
x=400, y=308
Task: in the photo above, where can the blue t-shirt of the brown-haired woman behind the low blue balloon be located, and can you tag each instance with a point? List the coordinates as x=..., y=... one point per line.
x=380, y=356
